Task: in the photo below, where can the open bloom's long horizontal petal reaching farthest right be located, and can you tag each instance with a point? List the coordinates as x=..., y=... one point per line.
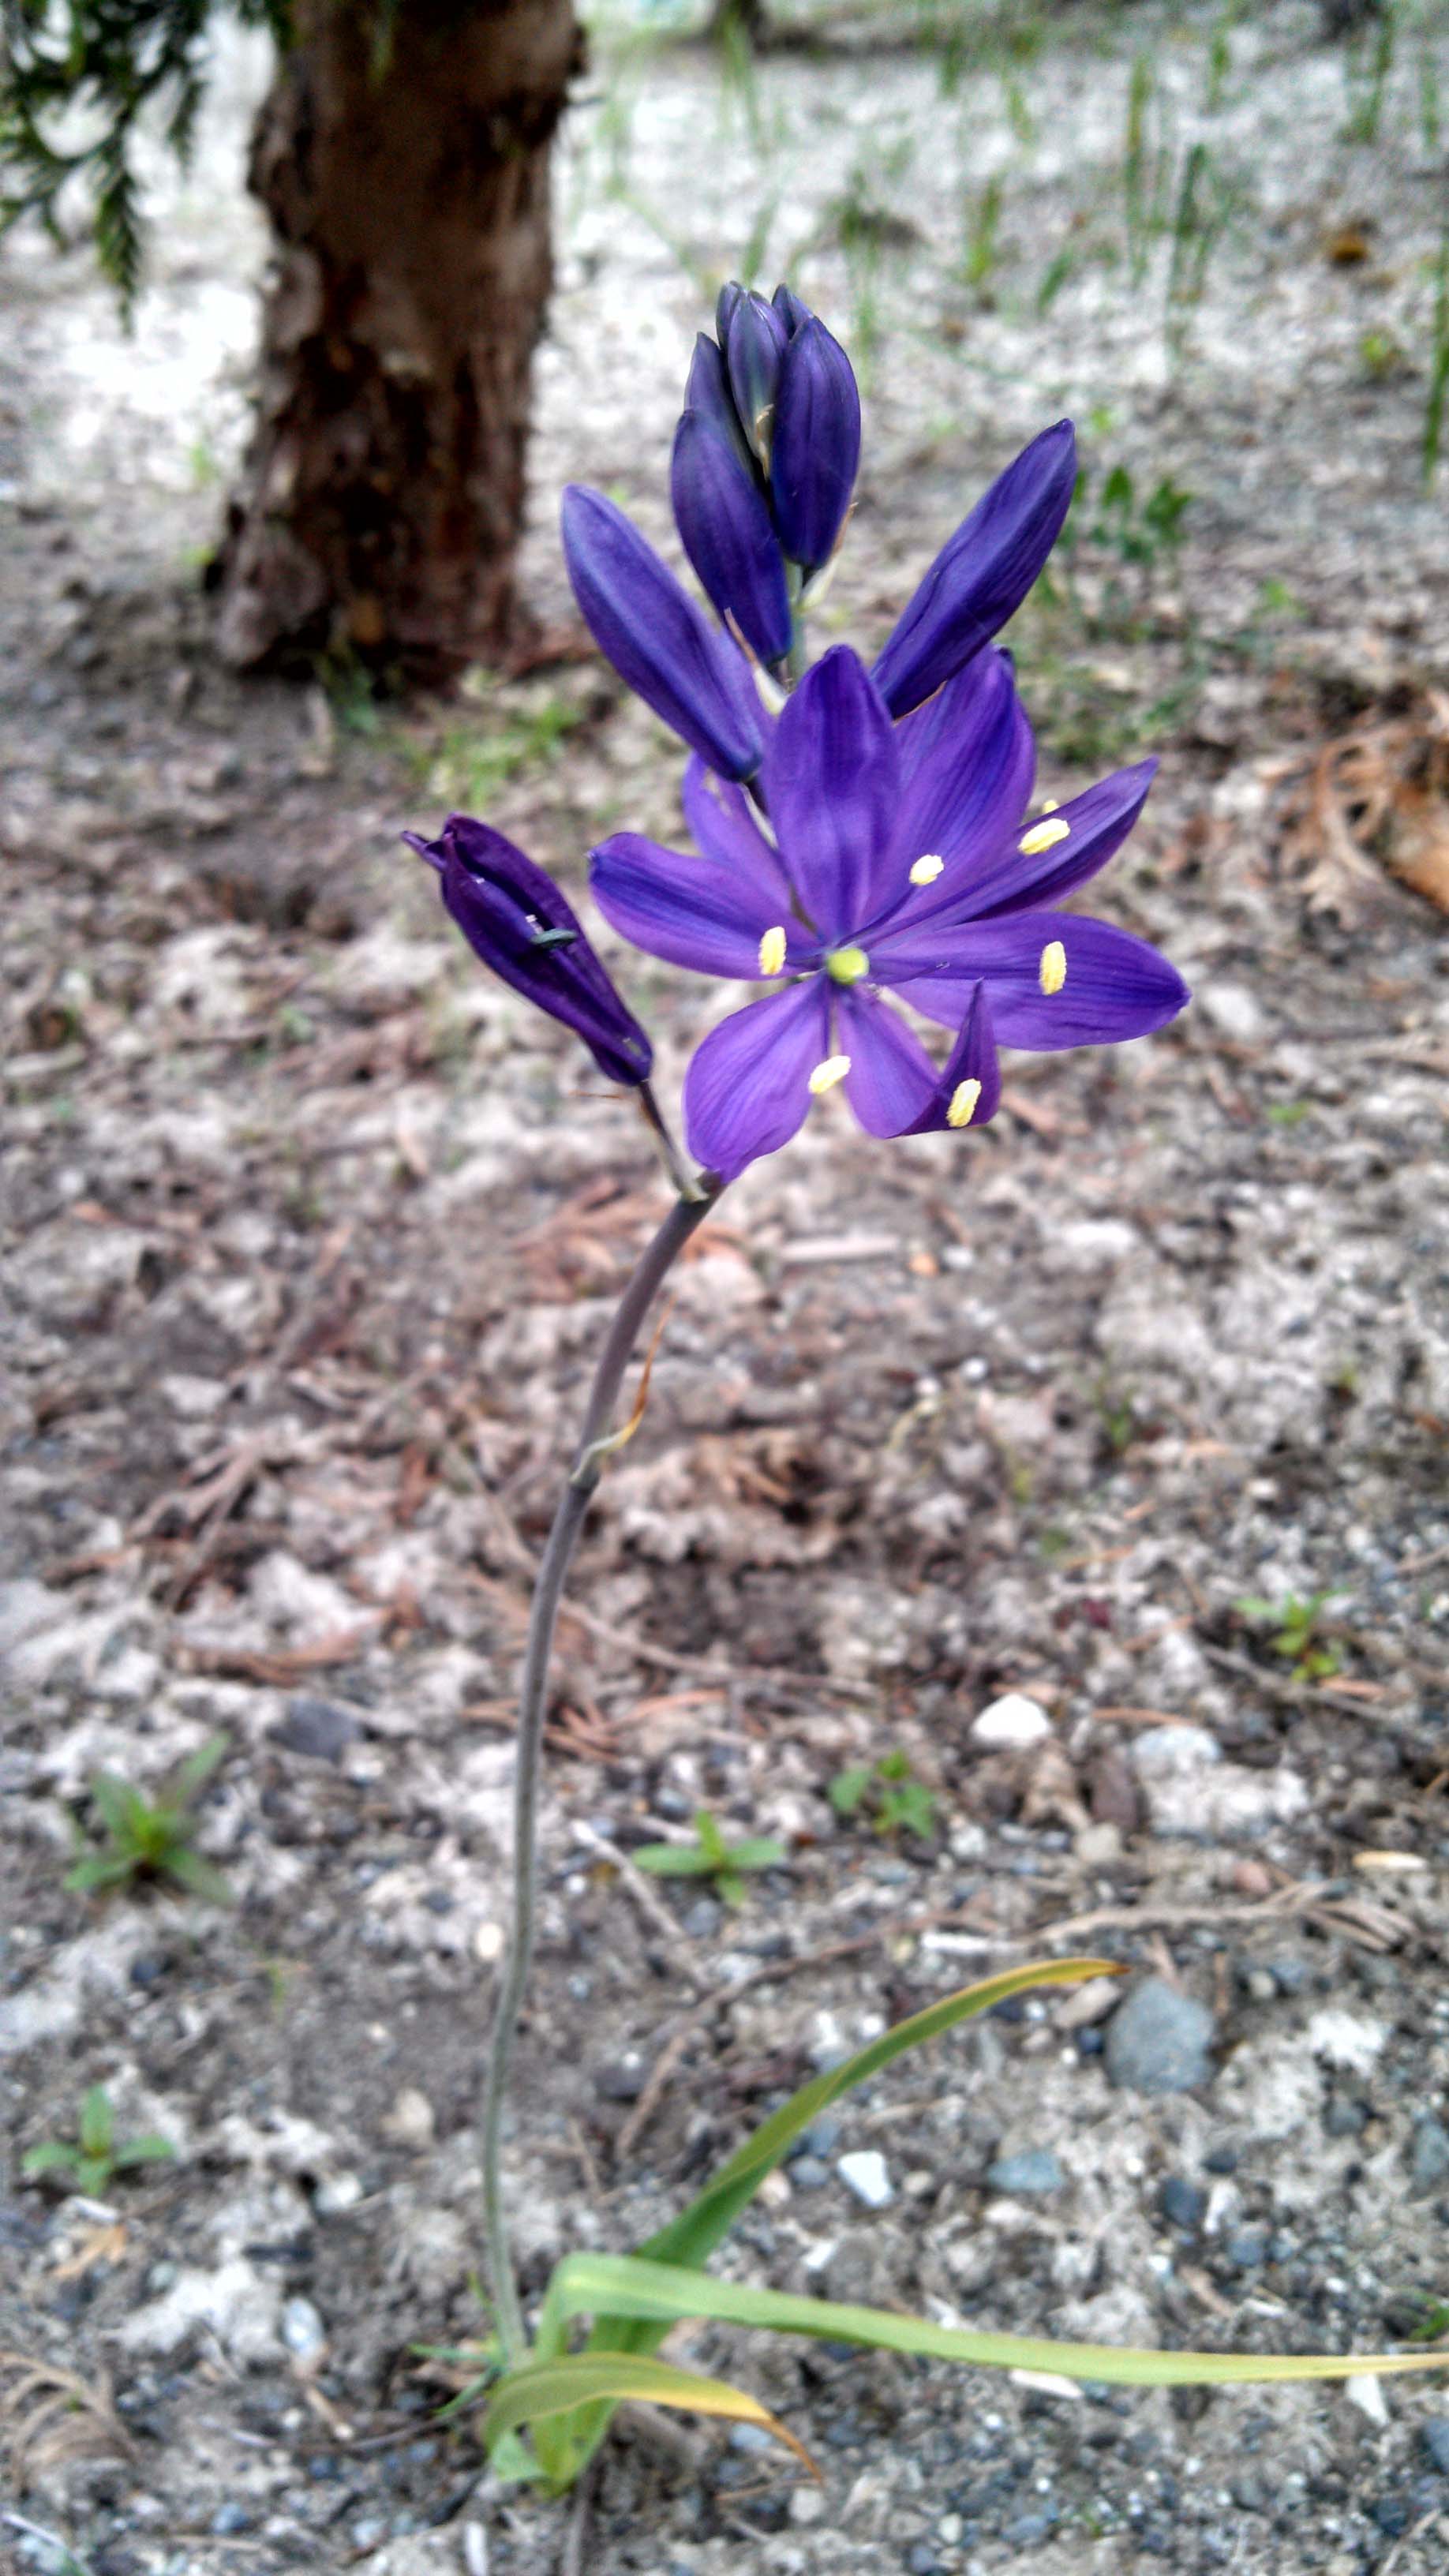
x=1113, y=988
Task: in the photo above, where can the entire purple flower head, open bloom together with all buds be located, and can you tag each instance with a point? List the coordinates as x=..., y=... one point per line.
x=862, y=836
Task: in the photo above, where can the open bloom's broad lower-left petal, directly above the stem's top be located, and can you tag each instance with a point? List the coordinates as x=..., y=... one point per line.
x=749, y=1083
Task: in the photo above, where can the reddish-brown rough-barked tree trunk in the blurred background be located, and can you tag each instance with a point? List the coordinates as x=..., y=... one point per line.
x=411, y=210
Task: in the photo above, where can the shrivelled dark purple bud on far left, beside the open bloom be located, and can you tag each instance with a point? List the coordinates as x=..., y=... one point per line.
x=517, y=921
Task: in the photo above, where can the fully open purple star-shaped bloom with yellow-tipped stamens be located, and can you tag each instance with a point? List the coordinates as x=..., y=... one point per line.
x=899, y=862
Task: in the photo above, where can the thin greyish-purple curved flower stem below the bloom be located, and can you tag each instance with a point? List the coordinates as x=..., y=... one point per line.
x=569, y=1521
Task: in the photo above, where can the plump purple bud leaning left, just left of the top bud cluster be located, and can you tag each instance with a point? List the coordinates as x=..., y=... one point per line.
x=659, y=640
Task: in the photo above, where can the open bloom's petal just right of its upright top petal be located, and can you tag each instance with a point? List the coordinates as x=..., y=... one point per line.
x=968, y=764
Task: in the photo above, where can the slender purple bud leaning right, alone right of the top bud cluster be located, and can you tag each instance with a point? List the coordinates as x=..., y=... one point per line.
x=984, y=573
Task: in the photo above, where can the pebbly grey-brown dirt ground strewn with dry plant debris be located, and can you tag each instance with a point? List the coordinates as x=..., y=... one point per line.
x=311, y=1235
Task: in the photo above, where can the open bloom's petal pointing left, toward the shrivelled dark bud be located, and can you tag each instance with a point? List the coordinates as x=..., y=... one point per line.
x=690, y=911
